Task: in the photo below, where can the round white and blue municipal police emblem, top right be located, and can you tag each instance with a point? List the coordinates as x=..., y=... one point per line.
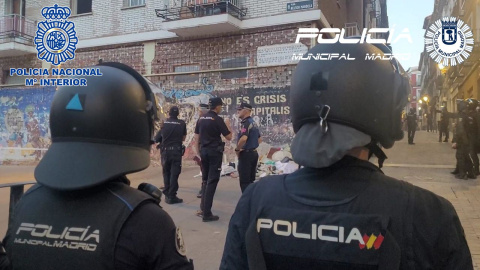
x=449, y=41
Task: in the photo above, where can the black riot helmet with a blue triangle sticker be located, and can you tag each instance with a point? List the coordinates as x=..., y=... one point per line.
x=100, y=131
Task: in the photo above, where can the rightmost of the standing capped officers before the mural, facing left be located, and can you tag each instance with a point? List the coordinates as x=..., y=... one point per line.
x=248, y=140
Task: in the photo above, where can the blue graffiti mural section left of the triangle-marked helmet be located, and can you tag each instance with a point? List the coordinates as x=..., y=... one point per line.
x=24, y=123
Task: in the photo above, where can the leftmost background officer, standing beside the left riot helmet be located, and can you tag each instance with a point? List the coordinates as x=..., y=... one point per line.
x=170, y=138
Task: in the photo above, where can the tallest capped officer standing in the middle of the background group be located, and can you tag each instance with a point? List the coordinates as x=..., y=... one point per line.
x=207, y=135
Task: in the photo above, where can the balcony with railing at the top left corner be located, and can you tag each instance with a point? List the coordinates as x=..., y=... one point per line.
x=16, y=35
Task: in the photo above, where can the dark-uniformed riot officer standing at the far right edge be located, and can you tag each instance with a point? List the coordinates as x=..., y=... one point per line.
x=461, y=143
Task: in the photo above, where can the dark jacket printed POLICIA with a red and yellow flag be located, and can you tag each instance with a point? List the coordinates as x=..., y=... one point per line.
x=347, y=216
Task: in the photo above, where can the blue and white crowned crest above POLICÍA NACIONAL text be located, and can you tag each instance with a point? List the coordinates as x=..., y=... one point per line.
x=56, y=38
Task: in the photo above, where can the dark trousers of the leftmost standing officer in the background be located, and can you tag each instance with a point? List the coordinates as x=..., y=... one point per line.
x=171, y=167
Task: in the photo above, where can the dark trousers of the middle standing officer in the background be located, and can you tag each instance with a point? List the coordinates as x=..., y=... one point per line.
x=211, y=169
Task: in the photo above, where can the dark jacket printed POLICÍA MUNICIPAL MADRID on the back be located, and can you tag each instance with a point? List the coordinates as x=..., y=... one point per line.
x=112, y=226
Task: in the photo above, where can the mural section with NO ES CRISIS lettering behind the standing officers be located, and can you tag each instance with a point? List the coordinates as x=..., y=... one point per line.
x=270, y=110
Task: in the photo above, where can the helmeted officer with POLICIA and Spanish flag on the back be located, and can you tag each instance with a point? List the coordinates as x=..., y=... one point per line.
x=340, y=211
